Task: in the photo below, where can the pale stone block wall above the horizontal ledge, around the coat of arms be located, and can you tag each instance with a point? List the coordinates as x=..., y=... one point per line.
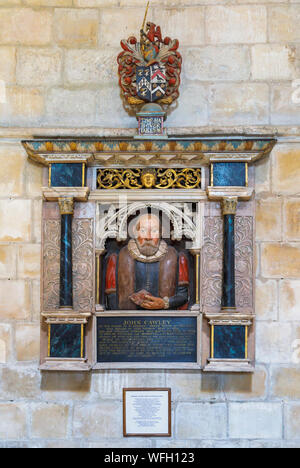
x=58, y=60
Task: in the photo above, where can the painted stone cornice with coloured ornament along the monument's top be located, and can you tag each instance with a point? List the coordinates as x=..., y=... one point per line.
x=128, y=151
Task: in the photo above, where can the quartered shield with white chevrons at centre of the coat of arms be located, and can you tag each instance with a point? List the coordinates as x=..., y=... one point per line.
x=151, y=82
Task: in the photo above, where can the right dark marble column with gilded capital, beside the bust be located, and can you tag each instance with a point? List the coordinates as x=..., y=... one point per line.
x=228, y=291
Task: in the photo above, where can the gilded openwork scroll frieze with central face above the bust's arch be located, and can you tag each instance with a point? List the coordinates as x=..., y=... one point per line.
x=151, y=178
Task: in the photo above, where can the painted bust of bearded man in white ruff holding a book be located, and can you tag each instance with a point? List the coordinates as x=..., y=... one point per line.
x=147, y=273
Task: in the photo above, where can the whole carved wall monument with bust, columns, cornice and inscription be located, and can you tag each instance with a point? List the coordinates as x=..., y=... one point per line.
x=148, y=252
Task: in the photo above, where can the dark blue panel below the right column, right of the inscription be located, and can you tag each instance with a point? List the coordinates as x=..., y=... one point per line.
x=229, y=342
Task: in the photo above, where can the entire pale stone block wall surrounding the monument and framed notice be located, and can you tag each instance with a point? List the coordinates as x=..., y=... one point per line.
x=57, y=67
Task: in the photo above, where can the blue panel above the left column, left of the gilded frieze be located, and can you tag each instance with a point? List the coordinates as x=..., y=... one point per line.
x=66, y=175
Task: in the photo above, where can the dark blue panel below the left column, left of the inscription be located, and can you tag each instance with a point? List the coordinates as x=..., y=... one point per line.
x=65, y=341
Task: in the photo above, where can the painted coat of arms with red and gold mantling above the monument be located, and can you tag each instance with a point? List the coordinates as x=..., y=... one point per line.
x=149, y=69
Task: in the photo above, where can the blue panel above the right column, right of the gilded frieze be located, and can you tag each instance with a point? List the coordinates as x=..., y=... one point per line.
x=229, y=174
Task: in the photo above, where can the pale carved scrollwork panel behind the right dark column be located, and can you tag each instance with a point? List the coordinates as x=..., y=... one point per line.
x=211, y=280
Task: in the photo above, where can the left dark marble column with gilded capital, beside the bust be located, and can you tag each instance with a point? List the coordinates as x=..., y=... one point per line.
x=66, y=268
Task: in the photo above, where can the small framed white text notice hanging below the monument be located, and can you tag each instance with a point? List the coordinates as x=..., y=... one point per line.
x=147, y=412
